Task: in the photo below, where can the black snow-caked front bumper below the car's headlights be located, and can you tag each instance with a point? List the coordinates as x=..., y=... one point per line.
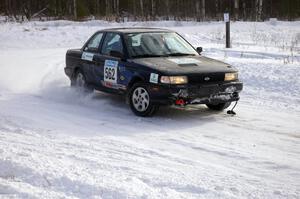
x=196, y=94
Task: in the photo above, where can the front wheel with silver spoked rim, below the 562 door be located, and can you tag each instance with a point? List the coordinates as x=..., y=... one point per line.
x=140, y=101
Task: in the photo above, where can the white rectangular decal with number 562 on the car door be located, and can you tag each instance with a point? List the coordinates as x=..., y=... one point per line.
x=110, y=71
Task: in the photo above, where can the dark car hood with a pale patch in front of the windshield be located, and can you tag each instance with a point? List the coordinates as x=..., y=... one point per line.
x=184, y=65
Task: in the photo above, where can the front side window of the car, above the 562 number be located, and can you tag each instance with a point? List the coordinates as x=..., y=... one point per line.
x=112, y=42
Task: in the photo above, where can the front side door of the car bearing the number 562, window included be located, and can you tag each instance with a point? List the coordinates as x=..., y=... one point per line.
x=107, y=65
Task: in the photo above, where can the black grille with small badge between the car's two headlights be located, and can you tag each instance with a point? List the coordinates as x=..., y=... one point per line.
x=206, y=78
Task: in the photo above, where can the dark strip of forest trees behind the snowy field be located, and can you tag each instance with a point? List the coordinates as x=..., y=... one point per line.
x=151, y=9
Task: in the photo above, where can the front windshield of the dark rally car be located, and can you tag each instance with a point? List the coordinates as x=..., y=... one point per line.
x=157, y=44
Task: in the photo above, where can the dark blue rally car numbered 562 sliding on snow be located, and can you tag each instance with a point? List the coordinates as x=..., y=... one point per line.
x=152, y=67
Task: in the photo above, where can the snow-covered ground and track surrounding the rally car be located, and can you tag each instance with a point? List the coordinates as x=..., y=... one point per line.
x=56, y=143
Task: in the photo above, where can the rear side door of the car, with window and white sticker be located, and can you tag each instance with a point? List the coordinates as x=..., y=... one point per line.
x=89, y=56
